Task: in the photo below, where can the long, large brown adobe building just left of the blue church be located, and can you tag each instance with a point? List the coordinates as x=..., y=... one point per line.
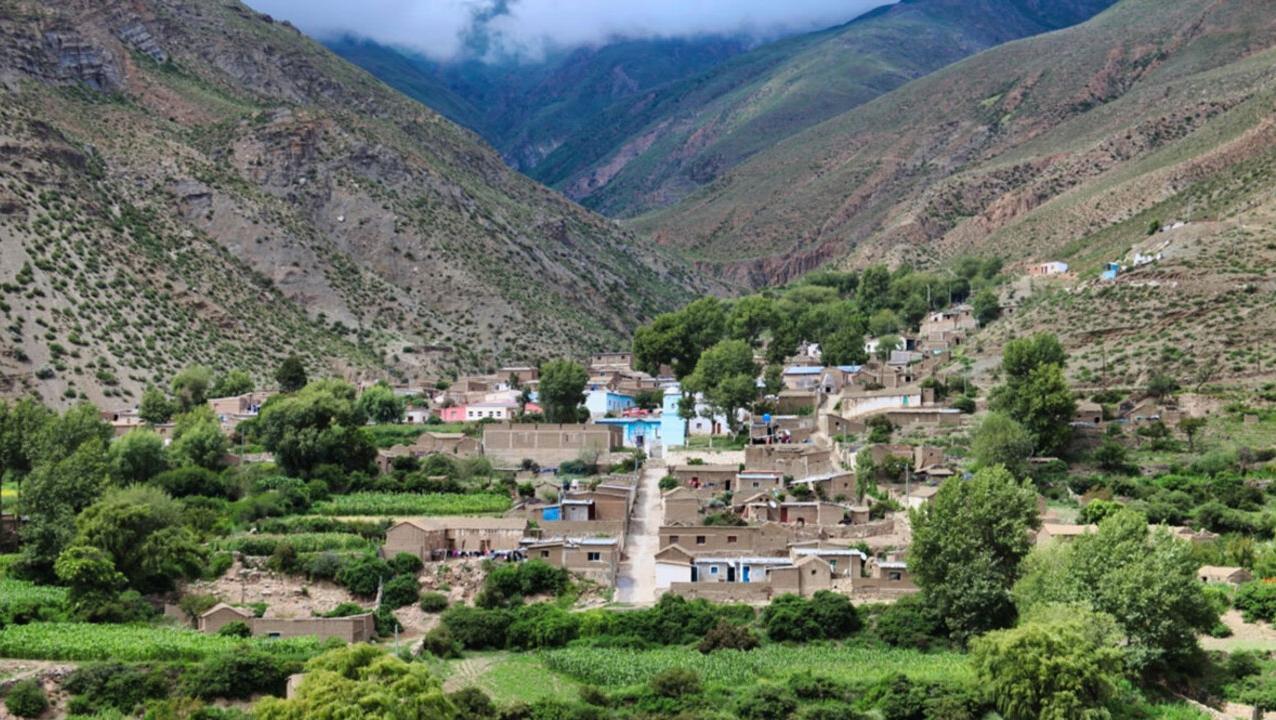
x=548, y=445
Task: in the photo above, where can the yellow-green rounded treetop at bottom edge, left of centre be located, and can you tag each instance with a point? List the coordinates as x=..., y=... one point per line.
x=362, y=682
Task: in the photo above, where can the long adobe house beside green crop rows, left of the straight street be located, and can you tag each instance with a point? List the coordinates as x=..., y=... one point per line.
x=437, y=538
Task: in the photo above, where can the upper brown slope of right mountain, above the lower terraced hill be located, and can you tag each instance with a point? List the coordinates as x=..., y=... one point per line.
x=968, y=155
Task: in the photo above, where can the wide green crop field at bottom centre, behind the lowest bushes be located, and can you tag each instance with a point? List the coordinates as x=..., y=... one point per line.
x=617, y=667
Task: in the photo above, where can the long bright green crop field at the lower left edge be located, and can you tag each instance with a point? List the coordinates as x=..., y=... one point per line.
x=132, y=644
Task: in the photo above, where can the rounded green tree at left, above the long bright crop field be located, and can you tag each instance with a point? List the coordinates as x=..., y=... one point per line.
x=141, y=530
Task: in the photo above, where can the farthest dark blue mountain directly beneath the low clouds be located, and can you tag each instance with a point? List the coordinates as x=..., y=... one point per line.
x=528, y=108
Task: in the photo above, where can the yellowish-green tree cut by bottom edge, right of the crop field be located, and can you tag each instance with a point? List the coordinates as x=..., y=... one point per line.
x=1061, y=666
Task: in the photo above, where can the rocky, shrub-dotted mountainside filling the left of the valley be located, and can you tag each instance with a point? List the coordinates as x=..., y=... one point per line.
x=193, y=182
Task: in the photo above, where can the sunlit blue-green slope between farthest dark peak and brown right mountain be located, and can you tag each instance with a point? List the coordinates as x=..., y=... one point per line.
x=655, y=149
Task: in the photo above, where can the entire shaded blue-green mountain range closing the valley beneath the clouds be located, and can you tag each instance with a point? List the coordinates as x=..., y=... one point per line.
x=639, y=124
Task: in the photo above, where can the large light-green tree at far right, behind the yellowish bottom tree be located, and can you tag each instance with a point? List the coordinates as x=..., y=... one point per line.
x=1145, y=579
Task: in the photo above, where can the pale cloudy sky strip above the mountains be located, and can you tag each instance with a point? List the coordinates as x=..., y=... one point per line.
x=442, y=29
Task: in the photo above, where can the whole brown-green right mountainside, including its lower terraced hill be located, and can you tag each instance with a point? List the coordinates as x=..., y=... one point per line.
x=1072, y=146
